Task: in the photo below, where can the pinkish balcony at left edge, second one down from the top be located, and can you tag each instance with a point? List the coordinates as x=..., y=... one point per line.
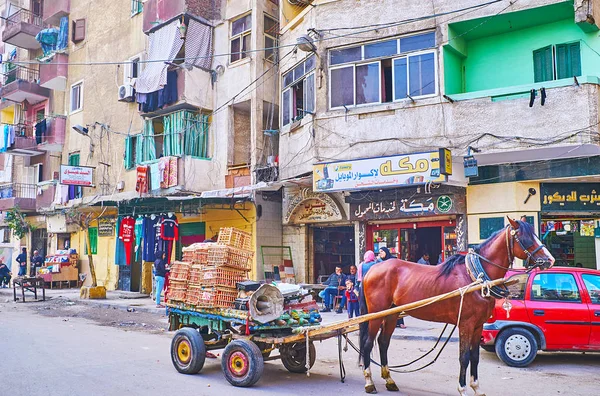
x=22, y=84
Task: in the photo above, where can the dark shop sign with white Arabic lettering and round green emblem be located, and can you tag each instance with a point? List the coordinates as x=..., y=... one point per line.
x=419, y=206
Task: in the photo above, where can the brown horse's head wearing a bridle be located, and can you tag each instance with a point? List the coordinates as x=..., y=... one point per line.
x=525, y=245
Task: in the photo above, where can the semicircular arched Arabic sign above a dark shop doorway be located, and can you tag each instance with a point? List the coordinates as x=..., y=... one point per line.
x=306, y=207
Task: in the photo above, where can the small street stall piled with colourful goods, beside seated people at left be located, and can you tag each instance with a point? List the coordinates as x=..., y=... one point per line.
x=61, y=268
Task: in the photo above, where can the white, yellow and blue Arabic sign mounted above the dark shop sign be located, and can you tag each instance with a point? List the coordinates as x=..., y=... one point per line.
x=409, y=169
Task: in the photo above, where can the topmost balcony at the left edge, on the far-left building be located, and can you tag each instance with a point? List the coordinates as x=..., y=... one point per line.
x=21, y=29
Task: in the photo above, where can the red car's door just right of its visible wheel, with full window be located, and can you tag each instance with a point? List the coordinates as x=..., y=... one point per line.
x=556, y=307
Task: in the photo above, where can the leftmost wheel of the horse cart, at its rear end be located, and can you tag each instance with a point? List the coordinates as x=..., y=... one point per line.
x=188, y=351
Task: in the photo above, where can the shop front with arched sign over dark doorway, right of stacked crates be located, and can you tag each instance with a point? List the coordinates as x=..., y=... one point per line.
x=330, y=236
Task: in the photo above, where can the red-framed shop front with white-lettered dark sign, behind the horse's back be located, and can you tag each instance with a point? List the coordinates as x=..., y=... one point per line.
x=412, y=221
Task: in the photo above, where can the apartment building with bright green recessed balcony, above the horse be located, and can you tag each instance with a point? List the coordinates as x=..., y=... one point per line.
x=421, y=127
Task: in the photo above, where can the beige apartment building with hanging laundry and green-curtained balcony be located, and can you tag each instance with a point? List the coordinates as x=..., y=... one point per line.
x=186, y=83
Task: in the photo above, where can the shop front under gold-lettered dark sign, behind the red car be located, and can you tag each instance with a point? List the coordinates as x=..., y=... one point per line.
x=570, y=223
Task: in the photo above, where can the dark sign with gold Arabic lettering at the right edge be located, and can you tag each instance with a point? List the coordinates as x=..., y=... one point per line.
x=570, y=196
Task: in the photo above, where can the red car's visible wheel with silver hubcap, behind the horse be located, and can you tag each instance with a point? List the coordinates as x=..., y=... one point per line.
x=517, y=347
